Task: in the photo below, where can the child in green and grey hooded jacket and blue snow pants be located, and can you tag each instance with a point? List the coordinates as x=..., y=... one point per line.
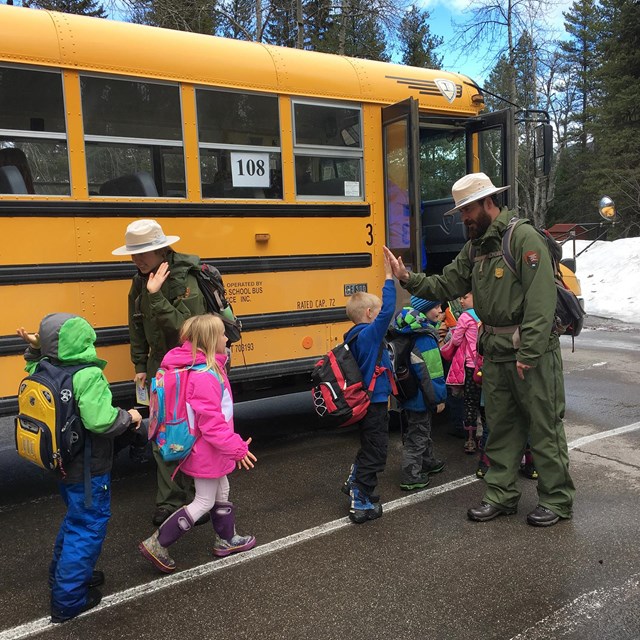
x=66, y=339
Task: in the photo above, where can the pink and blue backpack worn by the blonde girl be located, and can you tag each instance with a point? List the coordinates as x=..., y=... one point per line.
x=171, y=419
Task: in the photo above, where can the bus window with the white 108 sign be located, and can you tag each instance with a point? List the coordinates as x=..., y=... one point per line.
x=239, y=140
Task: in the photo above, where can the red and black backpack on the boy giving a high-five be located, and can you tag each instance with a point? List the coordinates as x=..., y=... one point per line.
x=340, y=395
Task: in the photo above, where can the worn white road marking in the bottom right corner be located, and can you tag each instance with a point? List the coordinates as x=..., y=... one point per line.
x=587, y=606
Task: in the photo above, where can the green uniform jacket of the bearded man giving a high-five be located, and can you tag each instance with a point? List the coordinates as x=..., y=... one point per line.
x=500, y=298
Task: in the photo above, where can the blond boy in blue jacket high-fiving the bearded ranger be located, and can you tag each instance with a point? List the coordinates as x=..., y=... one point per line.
x=371, y=318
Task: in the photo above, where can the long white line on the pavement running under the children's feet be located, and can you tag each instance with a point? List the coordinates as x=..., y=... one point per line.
x=42, y=624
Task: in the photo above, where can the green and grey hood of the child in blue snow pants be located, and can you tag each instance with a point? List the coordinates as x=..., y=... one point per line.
x=70, y=339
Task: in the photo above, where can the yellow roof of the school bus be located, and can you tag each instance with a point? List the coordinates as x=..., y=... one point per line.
x=66, y=41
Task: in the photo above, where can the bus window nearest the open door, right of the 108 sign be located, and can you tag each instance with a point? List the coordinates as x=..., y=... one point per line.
x=328, y=151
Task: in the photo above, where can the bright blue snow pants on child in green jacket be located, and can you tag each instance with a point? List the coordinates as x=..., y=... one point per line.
x=78, y=544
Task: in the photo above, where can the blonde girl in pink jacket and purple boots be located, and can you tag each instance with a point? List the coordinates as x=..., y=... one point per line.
x=216, y=451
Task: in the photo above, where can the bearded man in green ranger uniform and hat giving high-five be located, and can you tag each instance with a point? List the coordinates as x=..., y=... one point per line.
x=522, y=373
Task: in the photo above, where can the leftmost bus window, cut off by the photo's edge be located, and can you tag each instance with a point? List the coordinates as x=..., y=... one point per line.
x=32, y=130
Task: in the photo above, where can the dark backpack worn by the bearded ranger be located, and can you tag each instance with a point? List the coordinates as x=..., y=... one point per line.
x=569, y=313
